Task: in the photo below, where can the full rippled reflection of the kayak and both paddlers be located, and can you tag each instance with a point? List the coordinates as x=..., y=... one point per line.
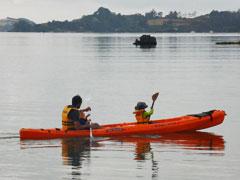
x=148, y=150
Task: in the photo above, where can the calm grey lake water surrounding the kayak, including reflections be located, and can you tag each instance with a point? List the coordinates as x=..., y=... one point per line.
x=39, y=73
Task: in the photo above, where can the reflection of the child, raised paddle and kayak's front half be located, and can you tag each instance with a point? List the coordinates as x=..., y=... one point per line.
x=195, y=141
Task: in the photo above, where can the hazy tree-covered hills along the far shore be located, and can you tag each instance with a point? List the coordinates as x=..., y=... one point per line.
x=103, y=20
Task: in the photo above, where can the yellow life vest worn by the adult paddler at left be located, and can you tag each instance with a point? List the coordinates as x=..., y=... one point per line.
x=67, y=124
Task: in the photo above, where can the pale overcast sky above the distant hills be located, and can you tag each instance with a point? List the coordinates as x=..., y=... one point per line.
x=48, y=10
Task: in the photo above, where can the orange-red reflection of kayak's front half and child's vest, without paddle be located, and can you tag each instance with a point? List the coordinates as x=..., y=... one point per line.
x=187, y=140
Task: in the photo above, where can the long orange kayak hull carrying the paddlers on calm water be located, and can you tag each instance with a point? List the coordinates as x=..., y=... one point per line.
x=185, y=123
